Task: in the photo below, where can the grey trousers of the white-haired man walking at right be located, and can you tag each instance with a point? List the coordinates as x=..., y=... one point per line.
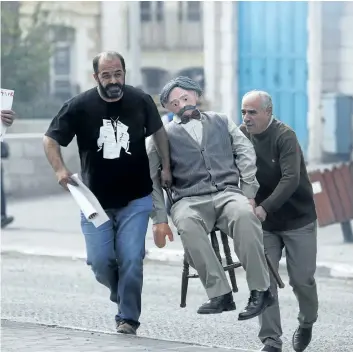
x=301, y=247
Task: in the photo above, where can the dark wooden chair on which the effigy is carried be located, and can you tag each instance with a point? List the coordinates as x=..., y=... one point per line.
x=230, y=267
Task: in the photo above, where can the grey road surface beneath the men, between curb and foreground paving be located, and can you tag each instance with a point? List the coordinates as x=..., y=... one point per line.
x=63, y=292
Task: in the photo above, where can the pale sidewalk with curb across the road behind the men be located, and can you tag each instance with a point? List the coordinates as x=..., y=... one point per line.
x=50, y=226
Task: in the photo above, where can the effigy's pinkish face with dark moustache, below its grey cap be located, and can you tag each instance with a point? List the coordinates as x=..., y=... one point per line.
x=182, y=102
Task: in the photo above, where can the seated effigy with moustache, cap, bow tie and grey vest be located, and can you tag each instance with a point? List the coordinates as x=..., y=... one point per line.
x=210, y=157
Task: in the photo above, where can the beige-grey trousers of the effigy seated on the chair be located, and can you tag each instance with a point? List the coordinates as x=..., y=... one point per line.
x=231, y=212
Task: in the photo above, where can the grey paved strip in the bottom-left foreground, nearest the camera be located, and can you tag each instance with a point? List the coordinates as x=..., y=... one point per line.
x=25, y=337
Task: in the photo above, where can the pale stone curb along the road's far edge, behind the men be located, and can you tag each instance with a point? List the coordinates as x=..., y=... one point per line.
x=324, y=269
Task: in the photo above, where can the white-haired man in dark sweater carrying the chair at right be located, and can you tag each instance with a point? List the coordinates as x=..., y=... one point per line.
x=285, y=206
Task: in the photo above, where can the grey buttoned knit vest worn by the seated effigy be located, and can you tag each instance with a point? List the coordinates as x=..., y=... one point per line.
x=209, y=168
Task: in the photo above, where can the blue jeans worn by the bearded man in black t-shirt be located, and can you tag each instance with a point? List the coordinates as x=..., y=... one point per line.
x=115, y=252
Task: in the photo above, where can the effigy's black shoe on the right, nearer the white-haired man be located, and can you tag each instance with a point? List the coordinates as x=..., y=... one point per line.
x=258, y=302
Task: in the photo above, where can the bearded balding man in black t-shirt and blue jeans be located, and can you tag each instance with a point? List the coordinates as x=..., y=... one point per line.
x=111, y=122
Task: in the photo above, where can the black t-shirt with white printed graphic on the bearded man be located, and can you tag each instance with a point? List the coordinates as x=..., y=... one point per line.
x=114, y=180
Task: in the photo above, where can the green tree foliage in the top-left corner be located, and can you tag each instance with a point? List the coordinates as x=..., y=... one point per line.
x=25, y=53
